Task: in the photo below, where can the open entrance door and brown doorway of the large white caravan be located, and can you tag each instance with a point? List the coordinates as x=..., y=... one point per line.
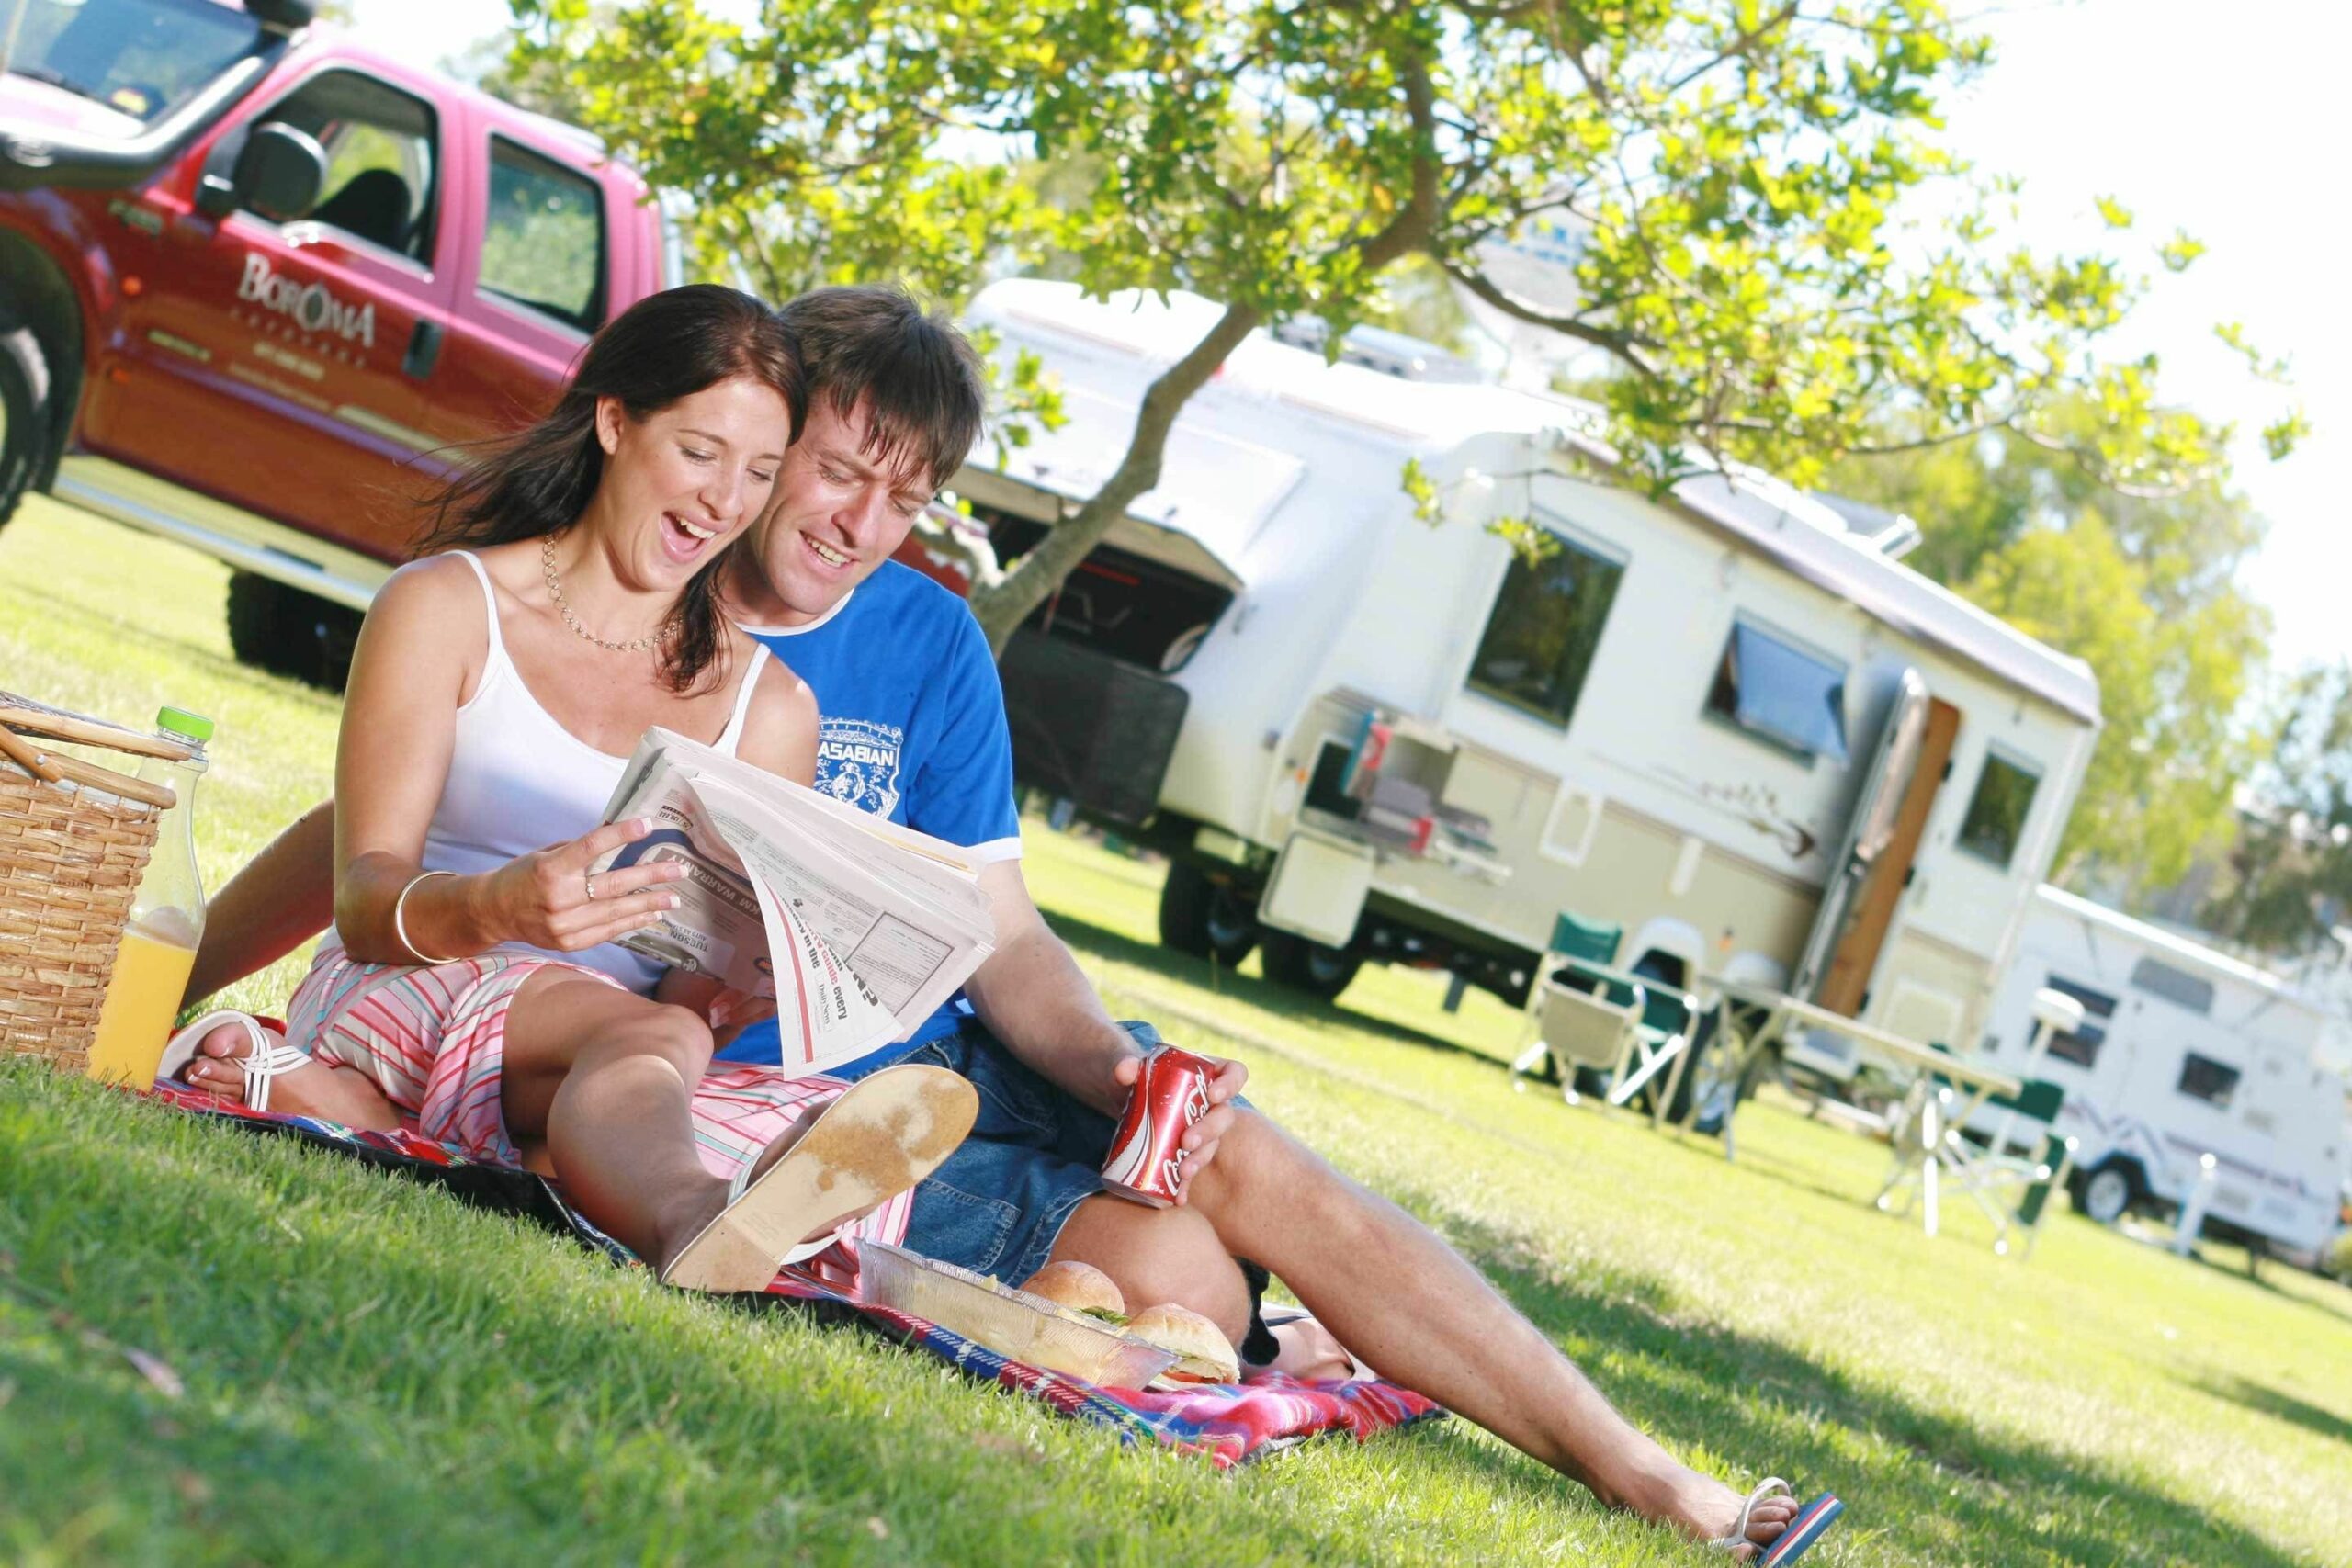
x=1883, y=840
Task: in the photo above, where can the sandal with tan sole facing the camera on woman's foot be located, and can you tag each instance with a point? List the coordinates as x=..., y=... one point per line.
x=886, y=1134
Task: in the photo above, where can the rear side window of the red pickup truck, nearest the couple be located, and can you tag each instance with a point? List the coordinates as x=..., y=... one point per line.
x=544, y=239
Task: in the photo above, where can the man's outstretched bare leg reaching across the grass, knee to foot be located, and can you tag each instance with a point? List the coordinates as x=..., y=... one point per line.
x=1415, y=1308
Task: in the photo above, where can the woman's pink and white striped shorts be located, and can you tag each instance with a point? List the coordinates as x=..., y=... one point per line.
x=434, y=1040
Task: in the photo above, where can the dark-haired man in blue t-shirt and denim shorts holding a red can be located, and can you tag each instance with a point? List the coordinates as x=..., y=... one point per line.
x=914, y=728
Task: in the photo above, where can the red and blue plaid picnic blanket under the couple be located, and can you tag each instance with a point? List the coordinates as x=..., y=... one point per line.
x=1224, y=1423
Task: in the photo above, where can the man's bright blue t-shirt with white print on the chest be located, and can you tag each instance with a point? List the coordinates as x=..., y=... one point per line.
x=911, y=728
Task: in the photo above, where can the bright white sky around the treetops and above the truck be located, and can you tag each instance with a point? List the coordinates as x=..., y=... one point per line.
x=2219, y=121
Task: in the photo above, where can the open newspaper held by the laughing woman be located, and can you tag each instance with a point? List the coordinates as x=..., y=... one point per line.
x=860, y=927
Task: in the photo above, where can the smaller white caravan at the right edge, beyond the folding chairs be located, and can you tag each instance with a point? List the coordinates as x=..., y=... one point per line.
x=2184, y=1052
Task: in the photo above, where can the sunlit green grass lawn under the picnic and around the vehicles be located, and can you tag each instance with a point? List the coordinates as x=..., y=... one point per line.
x=345, y=1367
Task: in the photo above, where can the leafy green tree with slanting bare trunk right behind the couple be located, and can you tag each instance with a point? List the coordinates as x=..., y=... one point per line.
x=1742, y=177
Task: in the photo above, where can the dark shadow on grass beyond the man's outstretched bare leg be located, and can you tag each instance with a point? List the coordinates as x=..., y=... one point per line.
x=1958, y=1494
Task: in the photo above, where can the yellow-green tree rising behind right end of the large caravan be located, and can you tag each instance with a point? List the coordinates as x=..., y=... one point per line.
x=2144, y=589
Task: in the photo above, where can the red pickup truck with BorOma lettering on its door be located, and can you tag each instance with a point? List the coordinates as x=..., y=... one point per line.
x=260, y=288
